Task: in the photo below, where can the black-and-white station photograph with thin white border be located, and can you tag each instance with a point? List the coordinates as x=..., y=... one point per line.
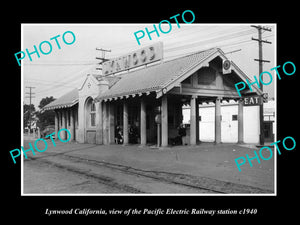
x=172, y=108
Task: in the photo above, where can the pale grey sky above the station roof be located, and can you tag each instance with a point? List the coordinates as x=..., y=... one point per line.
x=64, y=69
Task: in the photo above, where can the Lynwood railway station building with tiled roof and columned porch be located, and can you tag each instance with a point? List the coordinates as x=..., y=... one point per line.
x=143, y=91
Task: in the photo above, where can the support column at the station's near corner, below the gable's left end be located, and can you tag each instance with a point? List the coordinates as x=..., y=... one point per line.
x=164, y=121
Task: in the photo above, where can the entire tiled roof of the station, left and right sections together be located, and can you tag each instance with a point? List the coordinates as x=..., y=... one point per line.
x=145, y=80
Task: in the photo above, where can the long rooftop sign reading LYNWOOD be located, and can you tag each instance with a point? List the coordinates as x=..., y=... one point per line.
x=134, y=59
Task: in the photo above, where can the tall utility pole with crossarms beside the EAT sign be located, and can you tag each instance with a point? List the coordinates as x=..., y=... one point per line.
x=261, y=61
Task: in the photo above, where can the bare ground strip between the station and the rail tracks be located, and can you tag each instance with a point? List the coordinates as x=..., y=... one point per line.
x=205, y=160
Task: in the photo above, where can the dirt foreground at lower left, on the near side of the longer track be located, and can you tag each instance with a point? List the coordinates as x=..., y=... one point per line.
x=73, y=175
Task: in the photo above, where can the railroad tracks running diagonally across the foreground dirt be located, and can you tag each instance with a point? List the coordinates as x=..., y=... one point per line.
x=199, y=184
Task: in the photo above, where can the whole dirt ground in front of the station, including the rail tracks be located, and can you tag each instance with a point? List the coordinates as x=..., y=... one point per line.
x=86, y=168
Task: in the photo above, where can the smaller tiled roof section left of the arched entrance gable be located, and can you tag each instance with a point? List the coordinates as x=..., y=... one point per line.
x=67, y=100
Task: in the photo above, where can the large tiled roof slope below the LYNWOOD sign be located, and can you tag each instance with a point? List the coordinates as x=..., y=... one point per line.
x=153, y=78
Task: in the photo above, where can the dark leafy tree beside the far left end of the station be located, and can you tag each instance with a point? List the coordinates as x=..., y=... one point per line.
x=45, y=117
